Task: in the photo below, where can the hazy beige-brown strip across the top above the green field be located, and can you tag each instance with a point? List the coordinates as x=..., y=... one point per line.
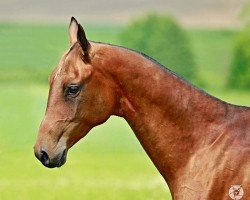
x=208, y=13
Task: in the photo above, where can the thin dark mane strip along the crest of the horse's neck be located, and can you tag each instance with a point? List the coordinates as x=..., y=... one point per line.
x=158, y=64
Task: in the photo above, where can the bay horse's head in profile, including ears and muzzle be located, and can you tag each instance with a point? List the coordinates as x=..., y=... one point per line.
x=79, y=99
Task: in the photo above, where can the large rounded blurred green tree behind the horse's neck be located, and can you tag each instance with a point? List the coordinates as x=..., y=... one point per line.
x=163, y=39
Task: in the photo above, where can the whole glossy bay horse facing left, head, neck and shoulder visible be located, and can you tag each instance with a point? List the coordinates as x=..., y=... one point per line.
x=199, y=144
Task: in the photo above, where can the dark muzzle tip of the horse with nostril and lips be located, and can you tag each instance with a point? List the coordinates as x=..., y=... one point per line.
x=56, y=161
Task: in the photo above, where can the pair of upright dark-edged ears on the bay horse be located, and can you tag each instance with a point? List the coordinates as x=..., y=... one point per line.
x=77, y=34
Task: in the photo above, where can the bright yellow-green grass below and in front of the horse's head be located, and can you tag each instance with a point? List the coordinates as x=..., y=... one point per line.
x=108, y=164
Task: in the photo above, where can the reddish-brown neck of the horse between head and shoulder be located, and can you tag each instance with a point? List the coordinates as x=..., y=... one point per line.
x=168, y=115
